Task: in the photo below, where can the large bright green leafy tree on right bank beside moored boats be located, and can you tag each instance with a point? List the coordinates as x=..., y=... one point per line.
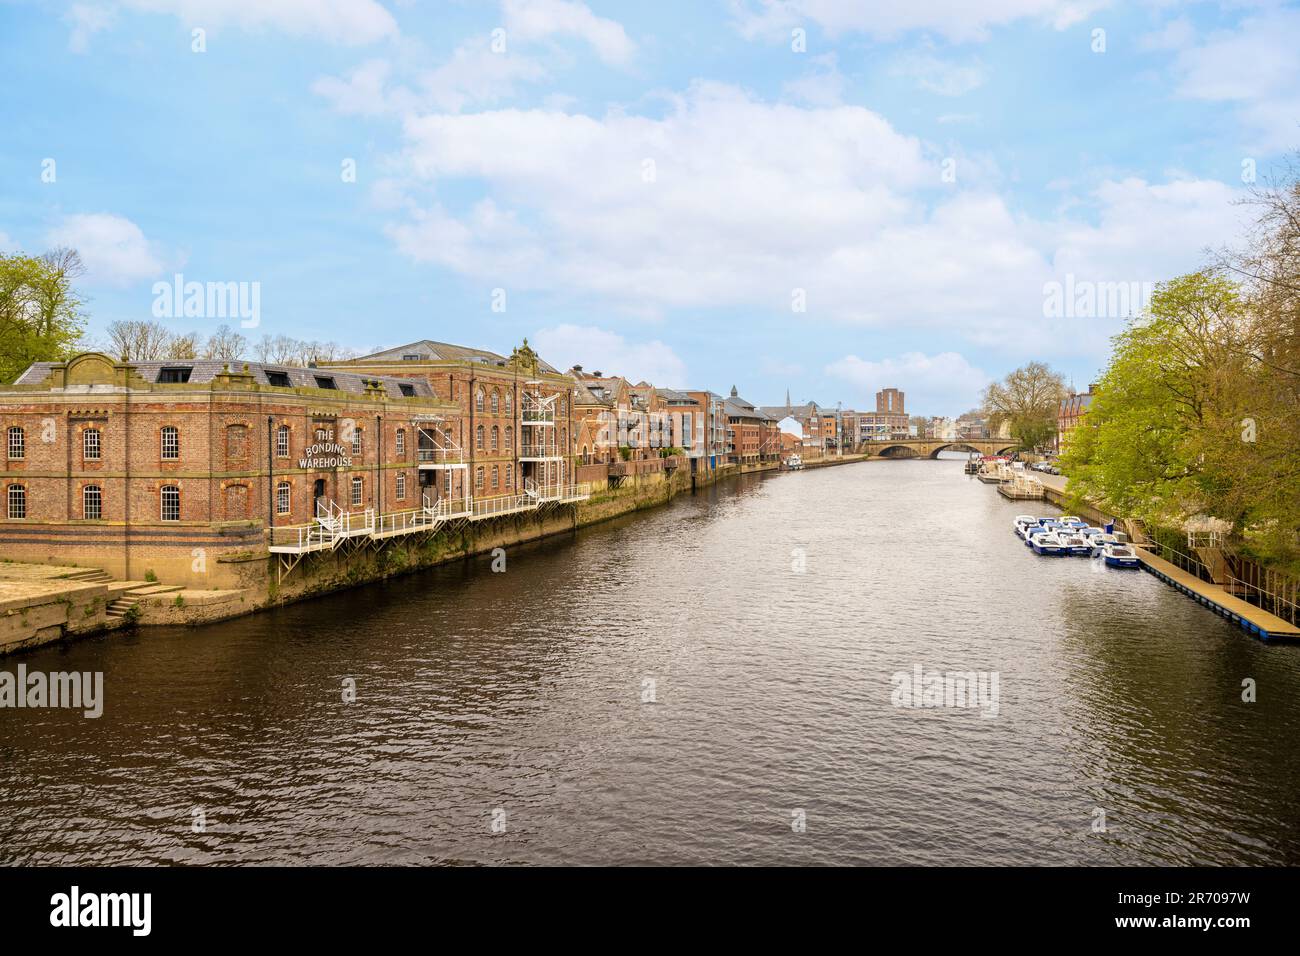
x=1188, y=421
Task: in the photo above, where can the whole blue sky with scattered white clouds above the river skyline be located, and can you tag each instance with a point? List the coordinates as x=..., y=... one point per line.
x=655, y=187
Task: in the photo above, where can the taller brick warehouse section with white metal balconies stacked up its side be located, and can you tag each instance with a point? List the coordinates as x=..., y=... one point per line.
x=513, y=421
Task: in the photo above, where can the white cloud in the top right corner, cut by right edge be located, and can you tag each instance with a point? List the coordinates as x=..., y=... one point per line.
x=1255, y=67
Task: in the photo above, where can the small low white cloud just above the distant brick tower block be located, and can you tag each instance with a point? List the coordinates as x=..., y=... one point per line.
x=946, y=380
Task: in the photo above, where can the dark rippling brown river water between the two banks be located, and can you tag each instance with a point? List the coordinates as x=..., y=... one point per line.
x=708, y=682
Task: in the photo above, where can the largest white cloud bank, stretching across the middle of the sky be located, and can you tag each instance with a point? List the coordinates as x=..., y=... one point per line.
x=752, y=201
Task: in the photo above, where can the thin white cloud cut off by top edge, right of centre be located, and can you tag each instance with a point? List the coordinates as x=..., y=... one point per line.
x=955, y=20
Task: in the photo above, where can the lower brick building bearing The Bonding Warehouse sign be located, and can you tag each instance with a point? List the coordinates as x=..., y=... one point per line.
x=167, y=466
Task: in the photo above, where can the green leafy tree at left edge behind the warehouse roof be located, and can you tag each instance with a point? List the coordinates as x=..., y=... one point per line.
x=41, y=318
